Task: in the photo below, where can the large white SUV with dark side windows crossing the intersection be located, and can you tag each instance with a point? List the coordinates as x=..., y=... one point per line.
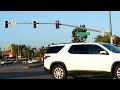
x=81, y=59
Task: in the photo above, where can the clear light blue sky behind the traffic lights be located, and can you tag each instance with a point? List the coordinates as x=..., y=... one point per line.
x=46, y=34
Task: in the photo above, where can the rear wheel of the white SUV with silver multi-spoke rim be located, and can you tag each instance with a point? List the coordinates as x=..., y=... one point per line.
x=59, y=72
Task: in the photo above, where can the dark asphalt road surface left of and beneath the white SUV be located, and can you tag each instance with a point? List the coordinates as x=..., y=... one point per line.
x=24, y=72
